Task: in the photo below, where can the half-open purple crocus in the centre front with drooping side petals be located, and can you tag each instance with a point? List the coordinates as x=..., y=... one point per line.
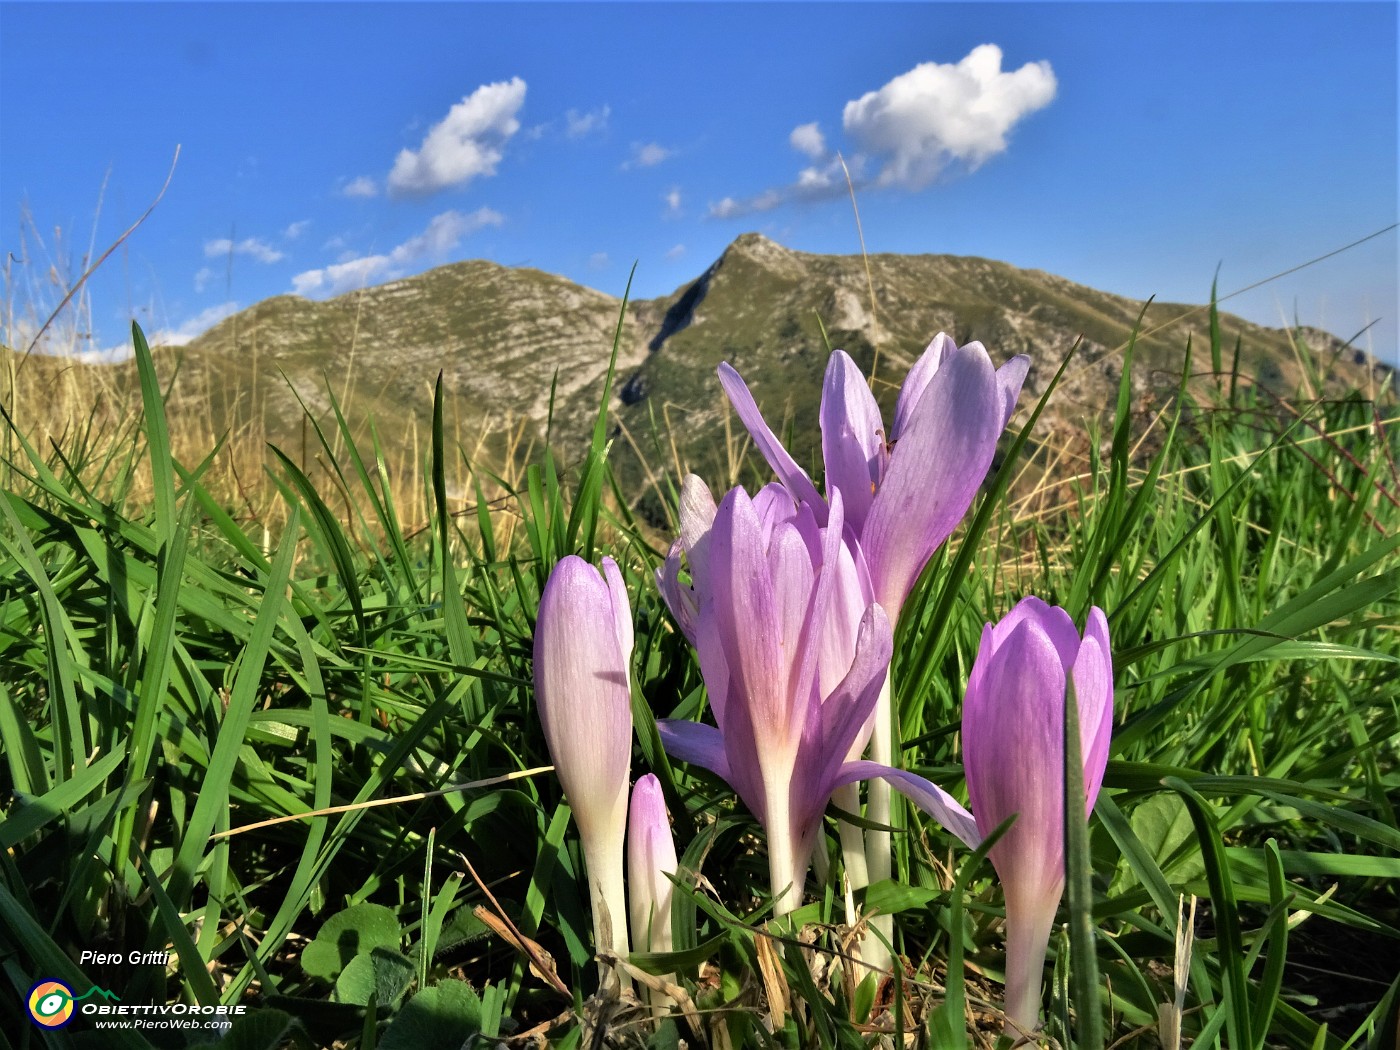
x=766, y=579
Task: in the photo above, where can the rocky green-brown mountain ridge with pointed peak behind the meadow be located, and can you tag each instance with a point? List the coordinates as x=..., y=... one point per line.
x=523, y=353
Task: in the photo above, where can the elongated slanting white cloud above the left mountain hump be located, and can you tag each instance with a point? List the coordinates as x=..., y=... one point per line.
x=467, y=143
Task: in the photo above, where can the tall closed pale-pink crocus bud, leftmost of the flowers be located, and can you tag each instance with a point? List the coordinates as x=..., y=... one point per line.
x=583, y=650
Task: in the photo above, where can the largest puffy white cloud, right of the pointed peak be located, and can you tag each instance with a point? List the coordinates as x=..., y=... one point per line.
x=943, y=113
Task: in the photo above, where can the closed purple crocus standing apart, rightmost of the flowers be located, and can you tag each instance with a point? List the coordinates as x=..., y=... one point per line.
x=1014, y=754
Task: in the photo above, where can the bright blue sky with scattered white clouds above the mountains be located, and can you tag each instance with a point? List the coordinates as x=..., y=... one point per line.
x=1130, y=146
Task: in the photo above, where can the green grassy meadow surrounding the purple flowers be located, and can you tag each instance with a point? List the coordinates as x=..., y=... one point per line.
x=299, y=751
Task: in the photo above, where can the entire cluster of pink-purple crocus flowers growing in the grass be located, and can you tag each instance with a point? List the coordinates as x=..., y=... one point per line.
x=789, y=600
